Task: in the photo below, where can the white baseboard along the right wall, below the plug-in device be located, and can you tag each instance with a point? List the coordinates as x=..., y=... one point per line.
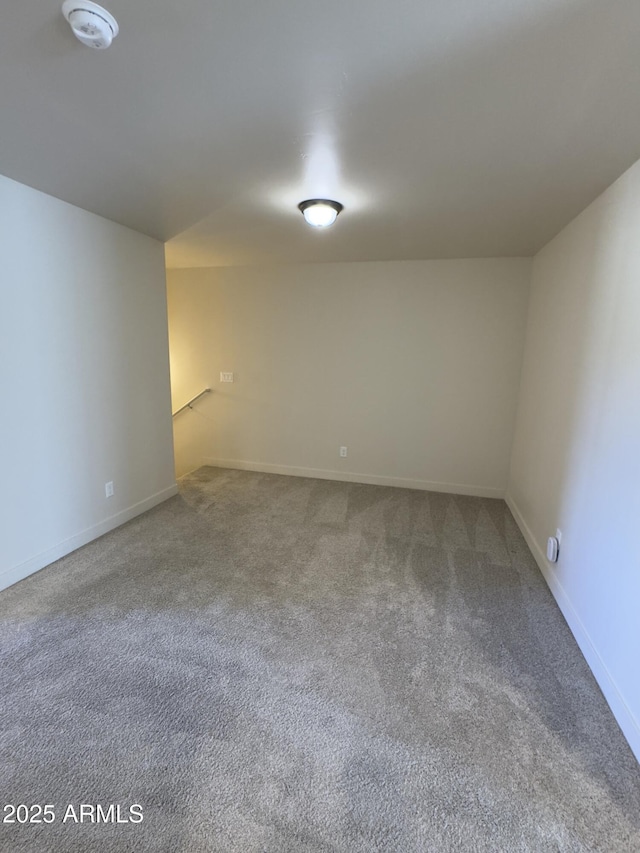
x=621, y=711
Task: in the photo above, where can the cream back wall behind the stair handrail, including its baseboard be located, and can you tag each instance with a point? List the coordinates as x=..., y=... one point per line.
x=414, y=366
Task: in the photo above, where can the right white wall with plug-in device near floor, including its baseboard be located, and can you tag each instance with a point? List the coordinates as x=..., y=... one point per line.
x=576, y=454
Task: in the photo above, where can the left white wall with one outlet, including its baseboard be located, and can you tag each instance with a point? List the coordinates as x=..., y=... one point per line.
x=83, y=377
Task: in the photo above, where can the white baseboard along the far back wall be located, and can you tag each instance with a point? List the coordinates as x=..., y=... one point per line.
x=354, y=477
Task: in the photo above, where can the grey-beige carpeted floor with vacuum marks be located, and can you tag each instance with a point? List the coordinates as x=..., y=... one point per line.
x=281, y=665
